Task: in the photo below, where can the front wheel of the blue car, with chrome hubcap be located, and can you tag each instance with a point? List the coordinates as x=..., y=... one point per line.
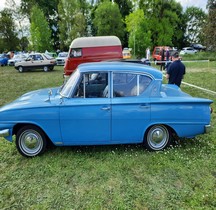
x=31, y=141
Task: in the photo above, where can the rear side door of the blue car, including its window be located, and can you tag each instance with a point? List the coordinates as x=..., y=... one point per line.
x=130, y=110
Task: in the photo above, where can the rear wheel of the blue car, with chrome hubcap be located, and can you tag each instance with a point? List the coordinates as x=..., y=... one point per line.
x=157, y=138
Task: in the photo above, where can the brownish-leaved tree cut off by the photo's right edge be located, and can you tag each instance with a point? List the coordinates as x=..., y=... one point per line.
x=210, y=29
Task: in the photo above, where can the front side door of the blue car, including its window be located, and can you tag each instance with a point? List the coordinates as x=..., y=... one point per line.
x=85, y=118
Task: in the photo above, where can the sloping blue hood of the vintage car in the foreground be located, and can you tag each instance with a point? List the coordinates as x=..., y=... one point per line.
x=39, y=98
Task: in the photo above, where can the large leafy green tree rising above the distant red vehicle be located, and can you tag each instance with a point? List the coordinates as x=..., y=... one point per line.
x=164, y=18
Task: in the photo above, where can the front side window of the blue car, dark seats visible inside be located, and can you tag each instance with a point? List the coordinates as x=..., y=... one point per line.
x=93, y=85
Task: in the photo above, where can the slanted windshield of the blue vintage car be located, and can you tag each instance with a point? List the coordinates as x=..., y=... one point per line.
x=69, y=85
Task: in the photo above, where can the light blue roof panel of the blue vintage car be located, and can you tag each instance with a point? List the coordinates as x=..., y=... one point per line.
x=121, y=66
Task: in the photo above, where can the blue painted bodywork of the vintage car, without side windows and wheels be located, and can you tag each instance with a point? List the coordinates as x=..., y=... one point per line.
x=70, y=120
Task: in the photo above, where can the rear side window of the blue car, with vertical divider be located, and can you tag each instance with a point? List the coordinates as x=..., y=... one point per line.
x=127, y=85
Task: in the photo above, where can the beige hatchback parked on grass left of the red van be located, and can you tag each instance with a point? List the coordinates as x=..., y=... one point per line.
x=36, y=61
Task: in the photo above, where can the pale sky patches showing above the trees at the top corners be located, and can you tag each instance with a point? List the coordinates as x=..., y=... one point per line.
x=185, y=3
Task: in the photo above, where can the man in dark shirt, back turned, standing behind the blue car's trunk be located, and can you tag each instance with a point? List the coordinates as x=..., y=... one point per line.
x=175, y=71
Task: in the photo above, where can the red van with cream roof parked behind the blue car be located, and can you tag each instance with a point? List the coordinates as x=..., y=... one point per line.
x=92, y=49
